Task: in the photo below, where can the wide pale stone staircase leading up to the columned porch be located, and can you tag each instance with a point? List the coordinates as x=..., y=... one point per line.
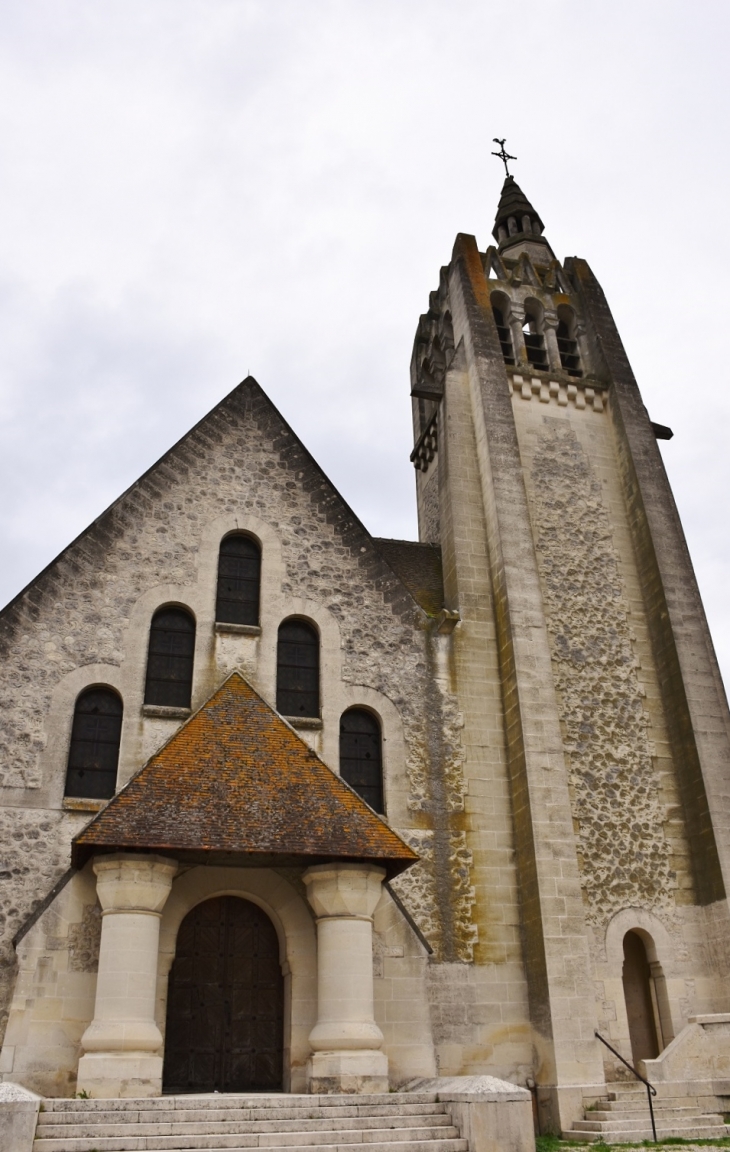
x=280, y=1124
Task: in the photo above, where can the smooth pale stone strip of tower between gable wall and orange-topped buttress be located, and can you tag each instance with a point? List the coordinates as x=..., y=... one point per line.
x=480, y=1013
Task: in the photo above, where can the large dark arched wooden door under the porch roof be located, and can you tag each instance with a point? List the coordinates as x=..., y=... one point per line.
x=225, y=1002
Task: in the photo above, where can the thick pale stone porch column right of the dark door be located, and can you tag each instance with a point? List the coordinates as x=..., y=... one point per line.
x=347, y=1042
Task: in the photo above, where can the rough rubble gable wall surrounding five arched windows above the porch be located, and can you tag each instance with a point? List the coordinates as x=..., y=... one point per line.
x=87, y=619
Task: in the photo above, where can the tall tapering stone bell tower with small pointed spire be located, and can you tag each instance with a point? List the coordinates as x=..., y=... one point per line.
x=596, y=724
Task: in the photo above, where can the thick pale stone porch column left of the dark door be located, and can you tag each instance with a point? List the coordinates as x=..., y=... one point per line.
x=123, y=1044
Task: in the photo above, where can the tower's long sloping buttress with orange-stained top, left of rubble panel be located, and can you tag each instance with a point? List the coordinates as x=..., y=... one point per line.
x=553, y=924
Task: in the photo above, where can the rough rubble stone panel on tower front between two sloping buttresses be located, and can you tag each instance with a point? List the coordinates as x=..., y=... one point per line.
x=623, y=851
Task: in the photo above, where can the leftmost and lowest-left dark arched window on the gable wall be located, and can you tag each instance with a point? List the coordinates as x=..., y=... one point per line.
x=94, y=753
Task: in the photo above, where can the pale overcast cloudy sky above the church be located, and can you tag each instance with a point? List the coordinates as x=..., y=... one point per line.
x=195, y=190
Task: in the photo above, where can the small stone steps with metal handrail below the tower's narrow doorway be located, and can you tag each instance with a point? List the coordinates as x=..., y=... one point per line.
x=623, y=1116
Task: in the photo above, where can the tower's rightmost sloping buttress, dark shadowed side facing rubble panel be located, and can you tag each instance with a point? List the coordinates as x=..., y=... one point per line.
x=693, y=693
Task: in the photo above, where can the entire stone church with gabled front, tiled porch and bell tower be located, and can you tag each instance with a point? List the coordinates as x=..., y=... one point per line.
x=287, y=808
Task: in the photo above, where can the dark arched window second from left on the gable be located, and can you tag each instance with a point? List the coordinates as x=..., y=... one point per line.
x=170, y=658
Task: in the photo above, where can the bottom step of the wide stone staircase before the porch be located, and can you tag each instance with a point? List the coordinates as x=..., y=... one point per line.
x=419, y=1141
